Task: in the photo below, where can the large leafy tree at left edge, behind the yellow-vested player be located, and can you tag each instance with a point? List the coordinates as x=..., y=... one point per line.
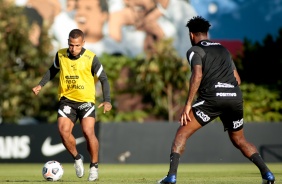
x=21, y=64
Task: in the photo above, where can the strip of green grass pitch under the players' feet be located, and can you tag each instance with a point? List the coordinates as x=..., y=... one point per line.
x=144, y=173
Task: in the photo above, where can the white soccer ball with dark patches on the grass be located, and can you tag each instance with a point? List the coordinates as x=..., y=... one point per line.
x=52, y=170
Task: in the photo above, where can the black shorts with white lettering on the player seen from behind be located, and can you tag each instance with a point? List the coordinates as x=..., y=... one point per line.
x=230, y=112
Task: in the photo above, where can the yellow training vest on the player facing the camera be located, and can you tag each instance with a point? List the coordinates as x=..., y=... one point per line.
x=76, y=80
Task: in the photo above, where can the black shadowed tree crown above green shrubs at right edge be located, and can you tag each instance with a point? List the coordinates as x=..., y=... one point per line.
x=261, y=63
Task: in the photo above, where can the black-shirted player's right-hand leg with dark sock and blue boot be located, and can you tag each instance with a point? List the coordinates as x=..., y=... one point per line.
x=250, y=151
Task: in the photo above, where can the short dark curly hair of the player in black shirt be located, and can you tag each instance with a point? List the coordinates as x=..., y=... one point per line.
x=198, y=24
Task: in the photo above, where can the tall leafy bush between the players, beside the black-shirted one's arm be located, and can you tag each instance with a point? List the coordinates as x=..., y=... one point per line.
x=162, y=79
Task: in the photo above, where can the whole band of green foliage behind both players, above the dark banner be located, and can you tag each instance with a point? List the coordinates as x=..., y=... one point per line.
x=161, y=79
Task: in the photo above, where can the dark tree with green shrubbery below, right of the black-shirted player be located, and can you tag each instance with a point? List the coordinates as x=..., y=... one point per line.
x=259, y=67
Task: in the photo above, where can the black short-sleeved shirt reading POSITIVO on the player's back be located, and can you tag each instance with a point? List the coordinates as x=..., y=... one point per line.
x=218, y=80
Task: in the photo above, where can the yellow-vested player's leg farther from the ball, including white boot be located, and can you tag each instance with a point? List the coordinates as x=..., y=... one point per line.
x=88, y=129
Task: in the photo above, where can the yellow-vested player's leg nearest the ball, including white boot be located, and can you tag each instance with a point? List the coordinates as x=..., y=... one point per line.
x=65, y=126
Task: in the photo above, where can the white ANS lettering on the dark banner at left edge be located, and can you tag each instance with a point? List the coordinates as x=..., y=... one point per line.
x=14, y=147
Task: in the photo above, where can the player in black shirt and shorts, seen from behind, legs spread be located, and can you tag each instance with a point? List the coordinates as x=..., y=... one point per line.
x=215, y=79
